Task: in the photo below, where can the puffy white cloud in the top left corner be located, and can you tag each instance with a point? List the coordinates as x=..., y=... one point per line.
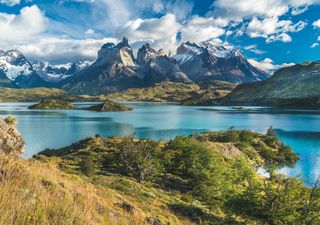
x=13, y=28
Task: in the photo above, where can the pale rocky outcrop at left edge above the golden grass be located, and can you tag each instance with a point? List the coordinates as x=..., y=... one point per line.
x=11, y=140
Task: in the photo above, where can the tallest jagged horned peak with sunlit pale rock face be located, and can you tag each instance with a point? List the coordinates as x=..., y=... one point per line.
x=114, y=70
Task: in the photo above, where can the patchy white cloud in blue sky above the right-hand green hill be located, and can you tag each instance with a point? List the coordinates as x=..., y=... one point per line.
x=273, y=29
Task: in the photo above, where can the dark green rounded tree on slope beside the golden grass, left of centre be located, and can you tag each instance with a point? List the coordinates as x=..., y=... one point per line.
x=139, y=159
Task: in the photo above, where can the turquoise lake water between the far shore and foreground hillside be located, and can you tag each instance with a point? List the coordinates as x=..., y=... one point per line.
x=51, y=129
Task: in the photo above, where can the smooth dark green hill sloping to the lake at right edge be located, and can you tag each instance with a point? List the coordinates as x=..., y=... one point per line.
x=296, y=85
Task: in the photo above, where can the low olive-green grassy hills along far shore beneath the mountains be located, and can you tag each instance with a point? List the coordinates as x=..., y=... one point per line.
x=188, y=94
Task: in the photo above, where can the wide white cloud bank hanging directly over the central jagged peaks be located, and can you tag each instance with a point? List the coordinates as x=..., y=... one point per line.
x=162, y=32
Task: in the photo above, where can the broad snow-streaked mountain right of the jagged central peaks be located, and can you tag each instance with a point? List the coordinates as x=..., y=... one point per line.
x=208, y=61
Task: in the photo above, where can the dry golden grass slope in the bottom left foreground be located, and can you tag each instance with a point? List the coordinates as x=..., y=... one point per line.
x=34, y=192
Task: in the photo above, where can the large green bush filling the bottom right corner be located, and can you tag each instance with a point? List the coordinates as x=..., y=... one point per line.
x=278, y=201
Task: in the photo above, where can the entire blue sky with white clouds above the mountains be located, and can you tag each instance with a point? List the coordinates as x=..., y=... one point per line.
x=271, y=33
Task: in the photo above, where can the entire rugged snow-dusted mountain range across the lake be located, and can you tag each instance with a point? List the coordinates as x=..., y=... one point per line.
x=116, y=68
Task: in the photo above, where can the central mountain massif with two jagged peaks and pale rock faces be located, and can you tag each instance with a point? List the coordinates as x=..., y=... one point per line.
x=117, y=69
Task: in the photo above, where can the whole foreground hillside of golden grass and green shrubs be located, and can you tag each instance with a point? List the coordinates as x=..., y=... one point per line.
x=201, y=179
